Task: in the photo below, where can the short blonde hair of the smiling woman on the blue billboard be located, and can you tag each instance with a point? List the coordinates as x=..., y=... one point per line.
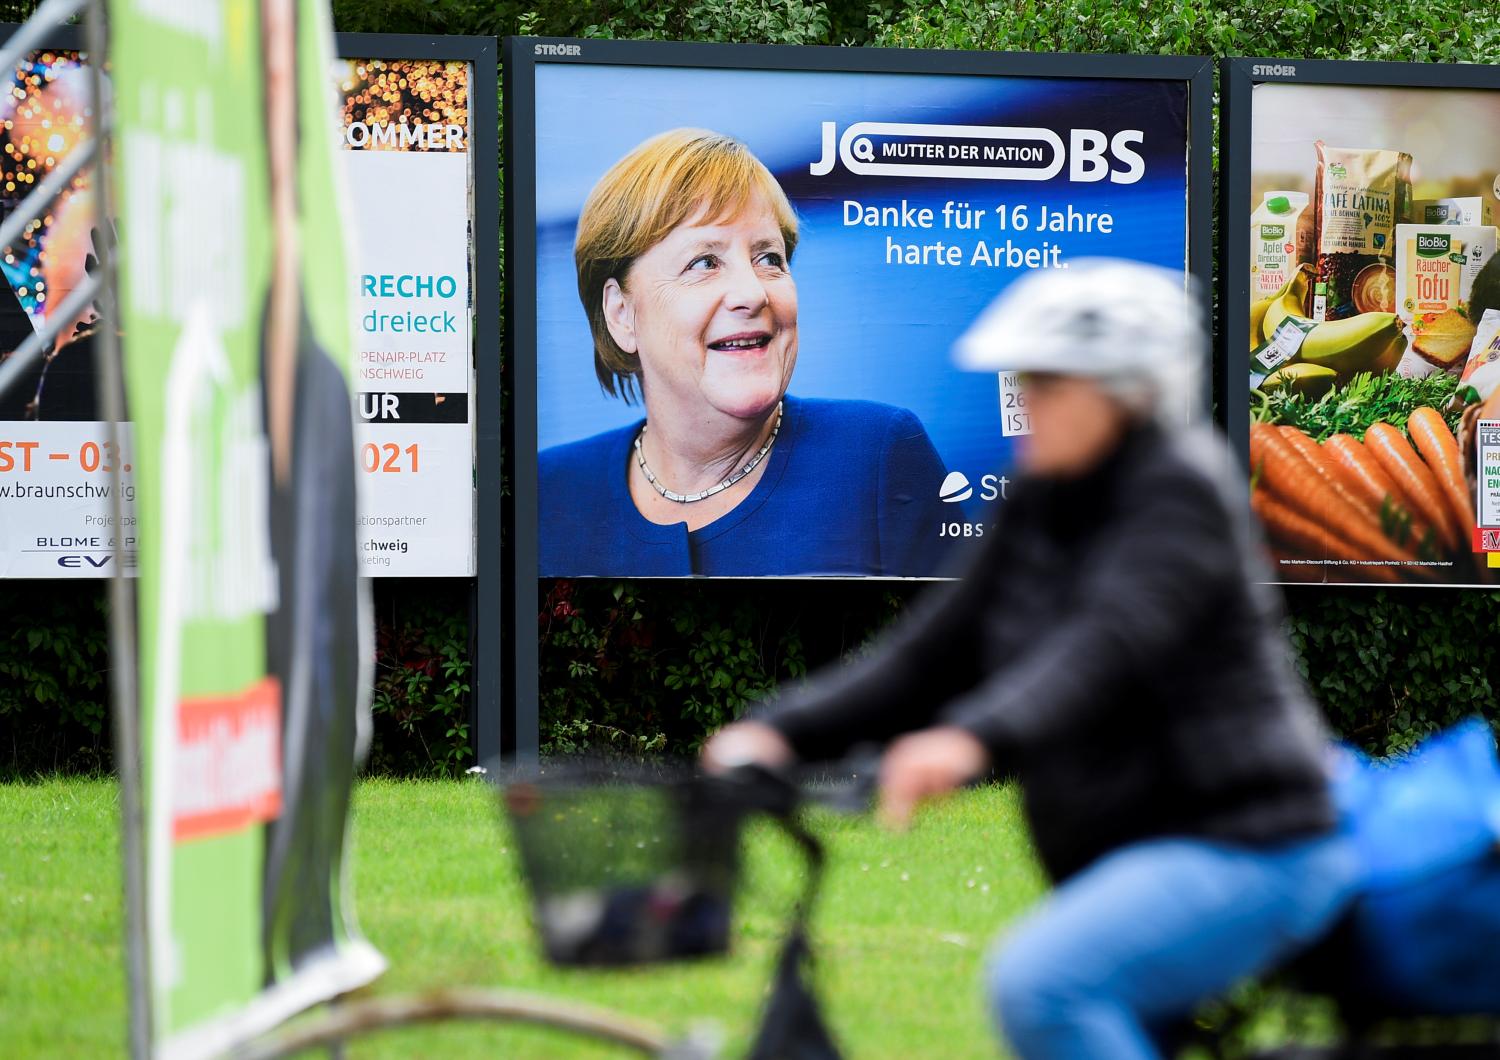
x=665, y=182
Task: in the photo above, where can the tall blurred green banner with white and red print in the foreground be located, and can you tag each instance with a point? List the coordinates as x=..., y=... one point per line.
x=254, y=624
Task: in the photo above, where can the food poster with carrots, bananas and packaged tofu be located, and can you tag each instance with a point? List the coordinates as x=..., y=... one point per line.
x=1375, y=329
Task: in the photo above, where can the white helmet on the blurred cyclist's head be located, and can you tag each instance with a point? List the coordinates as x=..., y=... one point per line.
x=1136, y=329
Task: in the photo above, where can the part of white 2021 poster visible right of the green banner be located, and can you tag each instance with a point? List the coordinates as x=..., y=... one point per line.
x=406, y=140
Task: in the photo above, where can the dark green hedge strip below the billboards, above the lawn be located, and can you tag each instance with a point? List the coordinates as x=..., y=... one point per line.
x=653, y=666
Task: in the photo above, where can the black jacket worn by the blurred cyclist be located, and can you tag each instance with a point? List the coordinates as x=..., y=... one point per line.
x=1117, y=650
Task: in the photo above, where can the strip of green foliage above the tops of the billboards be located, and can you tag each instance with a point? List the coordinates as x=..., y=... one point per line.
x=1436, y=31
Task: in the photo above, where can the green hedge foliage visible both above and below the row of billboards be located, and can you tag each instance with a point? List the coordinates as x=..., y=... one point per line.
x=652, y=666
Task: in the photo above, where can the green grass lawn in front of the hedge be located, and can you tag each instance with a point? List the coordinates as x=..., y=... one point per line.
x=901, y=932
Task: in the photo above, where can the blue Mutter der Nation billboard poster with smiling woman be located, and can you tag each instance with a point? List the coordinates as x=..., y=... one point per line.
x=749, y=283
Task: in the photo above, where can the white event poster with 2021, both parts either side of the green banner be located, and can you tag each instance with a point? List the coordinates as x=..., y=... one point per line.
x=406, y=149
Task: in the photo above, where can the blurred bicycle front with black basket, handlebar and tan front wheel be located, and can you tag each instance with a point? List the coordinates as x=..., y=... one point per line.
x=631, y=866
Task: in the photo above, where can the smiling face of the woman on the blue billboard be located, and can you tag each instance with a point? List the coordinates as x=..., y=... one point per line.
x=712, y=314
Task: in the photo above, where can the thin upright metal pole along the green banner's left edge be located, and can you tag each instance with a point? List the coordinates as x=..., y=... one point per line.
x=122, y=594
